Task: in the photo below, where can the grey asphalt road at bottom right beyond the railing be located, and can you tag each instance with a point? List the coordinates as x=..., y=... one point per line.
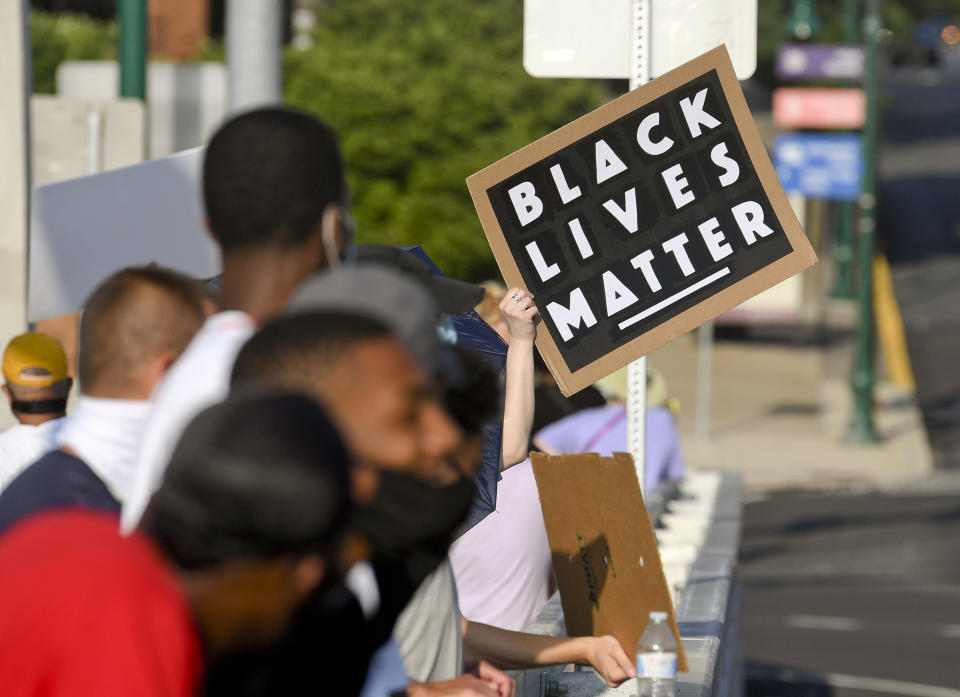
x=852, y=595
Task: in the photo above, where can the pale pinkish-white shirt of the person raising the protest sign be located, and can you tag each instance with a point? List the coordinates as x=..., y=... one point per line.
x=502, y=564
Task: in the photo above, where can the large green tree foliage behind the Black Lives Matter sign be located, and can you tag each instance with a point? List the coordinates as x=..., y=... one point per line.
x=423, y=93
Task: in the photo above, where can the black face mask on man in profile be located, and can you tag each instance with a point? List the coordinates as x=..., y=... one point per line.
x=412, y=521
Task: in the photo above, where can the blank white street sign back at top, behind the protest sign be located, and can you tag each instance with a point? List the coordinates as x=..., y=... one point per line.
x=592, y=38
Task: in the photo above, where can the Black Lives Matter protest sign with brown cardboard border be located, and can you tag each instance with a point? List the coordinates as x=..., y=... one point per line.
x=641, y=220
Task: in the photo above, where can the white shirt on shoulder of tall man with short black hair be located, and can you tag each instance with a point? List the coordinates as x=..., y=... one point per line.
x=199, y=378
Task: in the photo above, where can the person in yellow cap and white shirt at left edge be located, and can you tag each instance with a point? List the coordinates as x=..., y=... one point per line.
x=37, y=386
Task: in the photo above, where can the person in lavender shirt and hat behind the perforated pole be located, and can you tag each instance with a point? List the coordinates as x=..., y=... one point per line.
x=603, y=430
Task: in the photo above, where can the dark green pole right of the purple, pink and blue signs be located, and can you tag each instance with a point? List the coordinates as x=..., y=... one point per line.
x=861, y=428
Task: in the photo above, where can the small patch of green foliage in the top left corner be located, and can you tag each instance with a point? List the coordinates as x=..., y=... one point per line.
x=55, y=38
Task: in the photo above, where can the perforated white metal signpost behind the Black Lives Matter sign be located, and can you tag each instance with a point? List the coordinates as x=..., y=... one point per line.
x=637, y=370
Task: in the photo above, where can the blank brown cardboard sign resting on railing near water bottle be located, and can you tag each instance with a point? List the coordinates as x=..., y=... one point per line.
x=605, y=553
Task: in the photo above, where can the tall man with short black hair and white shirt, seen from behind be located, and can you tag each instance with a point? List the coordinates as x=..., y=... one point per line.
x=275, y=200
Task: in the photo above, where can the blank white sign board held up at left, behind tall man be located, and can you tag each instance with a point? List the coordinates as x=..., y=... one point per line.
x=82, y=230
